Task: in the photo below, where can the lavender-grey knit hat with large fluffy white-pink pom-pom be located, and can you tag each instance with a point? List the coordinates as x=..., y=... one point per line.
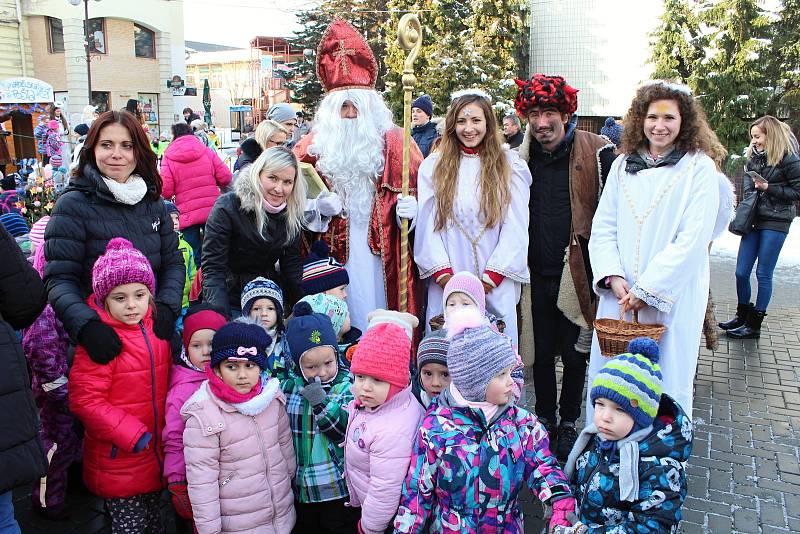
x=477, y=353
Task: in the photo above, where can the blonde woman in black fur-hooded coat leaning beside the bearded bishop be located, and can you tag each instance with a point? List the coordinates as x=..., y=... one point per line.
x=254, y=228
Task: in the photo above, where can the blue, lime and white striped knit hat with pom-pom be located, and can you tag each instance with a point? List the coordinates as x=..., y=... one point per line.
x=632, y=380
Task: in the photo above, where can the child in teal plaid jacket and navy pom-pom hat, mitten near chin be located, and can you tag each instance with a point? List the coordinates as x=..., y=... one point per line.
x=317, y=389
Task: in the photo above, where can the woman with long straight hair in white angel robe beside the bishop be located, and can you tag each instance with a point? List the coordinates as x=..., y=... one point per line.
x=473, y=210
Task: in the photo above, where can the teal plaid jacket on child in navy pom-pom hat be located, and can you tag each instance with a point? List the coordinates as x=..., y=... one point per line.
x=318, y=436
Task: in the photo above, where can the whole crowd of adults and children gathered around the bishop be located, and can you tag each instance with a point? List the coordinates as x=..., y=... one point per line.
x=237, y=340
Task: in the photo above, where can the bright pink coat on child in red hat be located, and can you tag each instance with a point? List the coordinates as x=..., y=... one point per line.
x=183, y=383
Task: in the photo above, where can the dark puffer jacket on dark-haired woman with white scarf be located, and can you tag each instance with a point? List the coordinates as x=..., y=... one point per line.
x=85, y=219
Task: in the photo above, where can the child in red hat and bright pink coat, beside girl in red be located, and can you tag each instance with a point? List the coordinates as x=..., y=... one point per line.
x=199, y=326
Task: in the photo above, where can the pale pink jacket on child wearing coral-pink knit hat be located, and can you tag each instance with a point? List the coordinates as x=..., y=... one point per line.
x=377, y=452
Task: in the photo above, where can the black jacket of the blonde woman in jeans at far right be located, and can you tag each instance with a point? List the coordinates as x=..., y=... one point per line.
x=776, y=209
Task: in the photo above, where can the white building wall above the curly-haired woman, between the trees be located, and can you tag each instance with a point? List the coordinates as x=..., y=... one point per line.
x=601, y=51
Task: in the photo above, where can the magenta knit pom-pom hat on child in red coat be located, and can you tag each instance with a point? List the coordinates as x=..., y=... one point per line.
x=121, y=264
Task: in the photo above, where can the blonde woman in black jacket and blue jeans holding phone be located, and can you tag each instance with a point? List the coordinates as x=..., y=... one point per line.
x=773, y=172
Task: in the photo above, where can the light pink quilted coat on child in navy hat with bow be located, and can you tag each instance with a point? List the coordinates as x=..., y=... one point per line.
x=240, y=462
